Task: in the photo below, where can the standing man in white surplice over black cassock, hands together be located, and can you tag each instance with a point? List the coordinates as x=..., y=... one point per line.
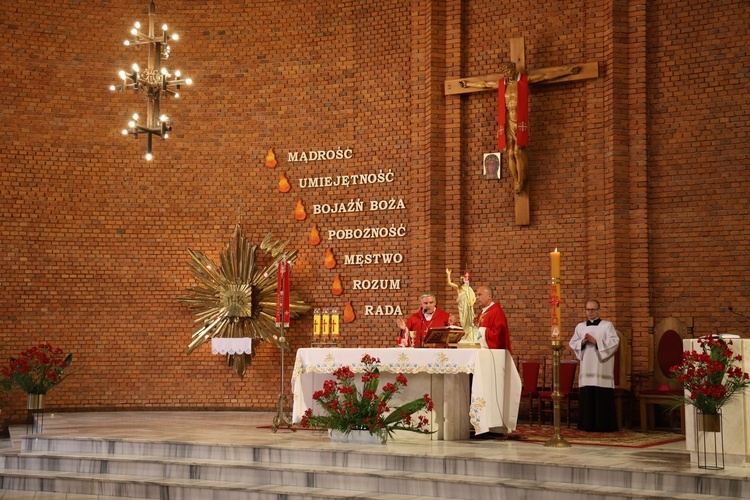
x=595, y=343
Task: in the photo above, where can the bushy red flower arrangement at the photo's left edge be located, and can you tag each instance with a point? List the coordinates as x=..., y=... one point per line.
x=37, y=369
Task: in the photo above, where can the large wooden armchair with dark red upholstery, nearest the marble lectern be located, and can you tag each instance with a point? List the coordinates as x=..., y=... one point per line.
x=664, y=351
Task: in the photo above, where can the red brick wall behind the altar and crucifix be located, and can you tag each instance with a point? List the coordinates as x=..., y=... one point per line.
x=639, y=177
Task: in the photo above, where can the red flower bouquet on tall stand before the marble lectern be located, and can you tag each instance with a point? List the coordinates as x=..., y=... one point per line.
x=710, y=376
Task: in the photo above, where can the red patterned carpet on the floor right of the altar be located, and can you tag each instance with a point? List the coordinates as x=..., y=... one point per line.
x=624, y=438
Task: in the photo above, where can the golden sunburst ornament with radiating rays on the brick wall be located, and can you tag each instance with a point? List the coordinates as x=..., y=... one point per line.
x=237, y=299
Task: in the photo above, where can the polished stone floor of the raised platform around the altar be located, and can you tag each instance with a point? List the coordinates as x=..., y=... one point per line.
x=253, y=428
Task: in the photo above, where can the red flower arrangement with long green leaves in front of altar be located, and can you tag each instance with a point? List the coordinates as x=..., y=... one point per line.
x=349, y=410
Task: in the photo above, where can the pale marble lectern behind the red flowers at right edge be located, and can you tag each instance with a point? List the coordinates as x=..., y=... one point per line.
x=734, y=422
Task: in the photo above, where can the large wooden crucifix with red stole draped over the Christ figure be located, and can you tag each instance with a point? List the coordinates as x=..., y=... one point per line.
x=513, y=110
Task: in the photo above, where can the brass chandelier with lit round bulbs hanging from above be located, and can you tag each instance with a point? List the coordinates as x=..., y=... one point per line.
x=154, y=82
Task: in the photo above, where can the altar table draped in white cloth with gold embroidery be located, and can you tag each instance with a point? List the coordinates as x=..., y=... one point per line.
x=489, y=402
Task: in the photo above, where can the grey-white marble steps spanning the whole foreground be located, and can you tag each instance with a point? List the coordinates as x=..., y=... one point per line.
x=186, y=471
